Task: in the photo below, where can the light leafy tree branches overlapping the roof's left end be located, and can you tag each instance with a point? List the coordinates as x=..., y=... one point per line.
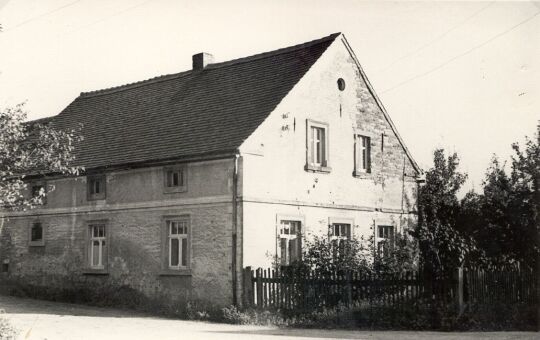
x=30, y=149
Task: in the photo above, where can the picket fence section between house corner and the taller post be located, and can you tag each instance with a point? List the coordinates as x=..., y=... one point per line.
x=268, y=288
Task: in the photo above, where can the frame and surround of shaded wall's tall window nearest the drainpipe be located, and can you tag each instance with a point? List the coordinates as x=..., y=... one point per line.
x=166, y=268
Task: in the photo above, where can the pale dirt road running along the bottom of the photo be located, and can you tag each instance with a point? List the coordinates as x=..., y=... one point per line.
x=35, y=319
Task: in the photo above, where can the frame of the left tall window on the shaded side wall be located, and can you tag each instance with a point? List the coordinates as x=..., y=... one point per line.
x=105, y=253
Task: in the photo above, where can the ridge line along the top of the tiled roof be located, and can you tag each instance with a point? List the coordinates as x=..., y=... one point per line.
x=209, y=67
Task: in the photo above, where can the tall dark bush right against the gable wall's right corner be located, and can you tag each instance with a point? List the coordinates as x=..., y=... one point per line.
x=442, y=245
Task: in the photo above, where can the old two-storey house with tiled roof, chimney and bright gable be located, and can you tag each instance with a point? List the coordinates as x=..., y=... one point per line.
x=192, y=176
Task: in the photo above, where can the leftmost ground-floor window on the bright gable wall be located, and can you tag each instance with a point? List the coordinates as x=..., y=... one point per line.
x=290, y=241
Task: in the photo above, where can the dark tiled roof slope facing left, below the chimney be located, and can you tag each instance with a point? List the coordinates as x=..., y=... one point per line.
x=186, y=114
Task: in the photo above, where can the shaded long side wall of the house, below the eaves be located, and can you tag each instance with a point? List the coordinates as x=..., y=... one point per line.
x=134, y=214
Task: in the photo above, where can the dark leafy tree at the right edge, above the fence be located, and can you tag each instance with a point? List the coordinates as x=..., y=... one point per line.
x=503, y=220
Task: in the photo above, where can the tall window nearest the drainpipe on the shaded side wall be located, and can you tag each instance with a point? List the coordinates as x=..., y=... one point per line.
x=178, y=245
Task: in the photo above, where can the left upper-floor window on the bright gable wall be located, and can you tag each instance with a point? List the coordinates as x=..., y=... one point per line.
x=317, y=147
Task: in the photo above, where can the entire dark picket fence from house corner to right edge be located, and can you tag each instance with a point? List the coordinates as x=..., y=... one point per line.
x=297, y=291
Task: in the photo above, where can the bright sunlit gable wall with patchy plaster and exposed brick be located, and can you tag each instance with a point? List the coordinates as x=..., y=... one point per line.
x=274, y=158
